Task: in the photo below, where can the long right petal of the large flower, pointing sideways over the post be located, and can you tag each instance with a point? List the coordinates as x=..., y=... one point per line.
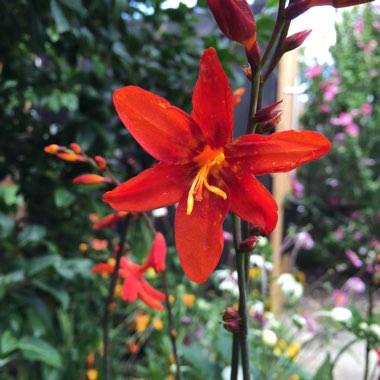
x=278, y=152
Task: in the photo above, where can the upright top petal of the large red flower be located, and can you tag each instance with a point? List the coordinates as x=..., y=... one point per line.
x=213, y=101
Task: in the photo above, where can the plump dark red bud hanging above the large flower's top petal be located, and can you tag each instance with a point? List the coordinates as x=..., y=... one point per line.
x=236, y=20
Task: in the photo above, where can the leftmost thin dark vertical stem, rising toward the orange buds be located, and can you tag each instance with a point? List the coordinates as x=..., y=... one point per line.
x=110, y=298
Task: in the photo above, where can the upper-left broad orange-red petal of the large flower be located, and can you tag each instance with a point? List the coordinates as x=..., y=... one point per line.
x=164, y=131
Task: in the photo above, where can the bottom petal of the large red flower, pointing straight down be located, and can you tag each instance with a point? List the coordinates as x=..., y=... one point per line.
x=199, y=236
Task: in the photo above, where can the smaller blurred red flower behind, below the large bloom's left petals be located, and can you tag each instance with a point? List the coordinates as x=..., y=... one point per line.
x=135, y=286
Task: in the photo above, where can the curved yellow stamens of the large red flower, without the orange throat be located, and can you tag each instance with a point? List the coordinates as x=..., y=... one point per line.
x=200, y=180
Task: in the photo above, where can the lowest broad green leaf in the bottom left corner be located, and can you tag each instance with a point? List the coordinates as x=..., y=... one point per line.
x=38, y=349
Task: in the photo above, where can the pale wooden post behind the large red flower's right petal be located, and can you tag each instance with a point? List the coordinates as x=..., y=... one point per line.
x=287, y=74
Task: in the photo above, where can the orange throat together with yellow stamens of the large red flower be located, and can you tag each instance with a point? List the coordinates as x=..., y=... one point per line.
x=207, y=160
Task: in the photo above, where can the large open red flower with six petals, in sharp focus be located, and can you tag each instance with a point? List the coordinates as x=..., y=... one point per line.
x=202, y=168
